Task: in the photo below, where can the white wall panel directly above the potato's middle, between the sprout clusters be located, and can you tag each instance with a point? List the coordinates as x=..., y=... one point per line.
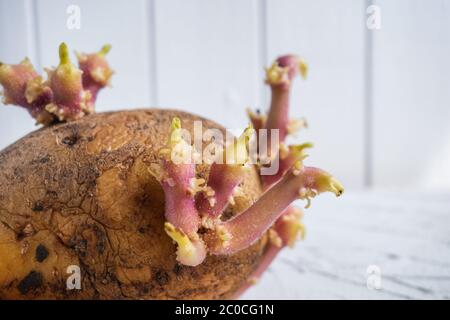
x=207, y=56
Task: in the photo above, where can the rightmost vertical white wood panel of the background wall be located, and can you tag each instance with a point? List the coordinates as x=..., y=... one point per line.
x=412, y=94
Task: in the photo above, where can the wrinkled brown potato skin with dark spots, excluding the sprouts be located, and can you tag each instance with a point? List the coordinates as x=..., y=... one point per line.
x=81, y=194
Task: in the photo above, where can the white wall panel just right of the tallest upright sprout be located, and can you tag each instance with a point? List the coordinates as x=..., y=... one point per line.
x=330, y=36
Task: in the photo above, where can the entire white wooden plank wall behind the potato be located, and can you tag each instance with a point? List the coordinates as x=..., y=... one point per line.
x=378, y=102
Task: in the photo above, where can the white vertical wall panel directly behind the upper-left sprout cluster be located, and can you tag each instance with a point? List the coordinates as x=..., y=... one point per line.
x=122, y=23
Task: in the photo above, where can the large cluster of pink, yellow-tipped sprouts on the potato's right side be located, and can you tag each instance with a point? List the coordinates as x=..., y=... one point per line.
x=193, y=204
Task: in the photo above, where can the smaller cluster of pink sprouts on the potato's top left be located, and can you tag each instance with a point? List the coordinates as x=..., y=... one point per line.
x=68, y=93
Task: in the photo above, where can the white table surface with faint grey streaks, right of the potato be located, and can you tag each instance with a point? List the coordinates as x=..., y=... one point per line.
x=405, y=234
